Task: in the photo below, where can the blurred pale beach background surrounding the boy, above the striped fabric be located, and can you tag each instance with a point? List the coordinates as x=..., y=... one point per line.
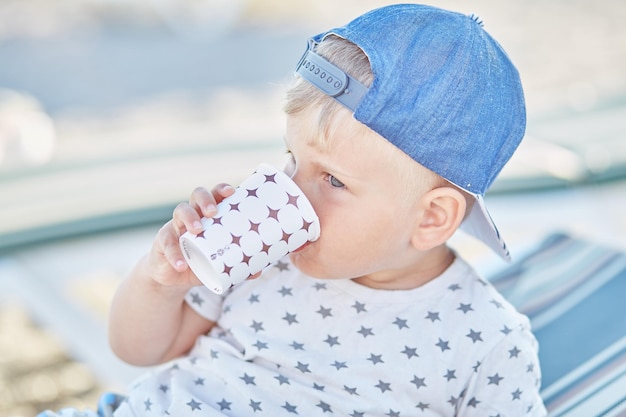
x=112, y=111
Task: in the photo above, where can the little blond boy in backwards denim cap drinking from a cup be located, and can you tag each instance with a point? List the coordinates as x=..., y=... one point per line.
x=396, y=126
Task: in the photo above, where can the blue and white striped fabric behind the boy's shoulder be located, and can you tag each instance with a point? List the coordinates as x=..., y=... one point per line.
x=574, y=293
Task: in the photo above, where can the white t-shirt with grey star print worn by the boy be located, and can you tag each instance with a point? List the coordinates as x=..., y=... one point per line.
x=287, y=344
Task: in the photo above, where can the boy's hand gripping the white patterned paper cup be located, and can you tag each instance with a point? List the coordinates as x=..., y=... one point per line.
x=166, y=261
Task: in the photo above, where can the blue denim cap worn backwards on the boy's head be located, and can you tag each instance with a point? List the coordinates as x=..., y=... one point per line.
x=444, y=92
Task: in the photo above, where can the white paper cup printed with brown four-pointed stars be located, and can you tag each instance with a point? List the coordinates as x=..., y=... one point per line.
x=267, y=217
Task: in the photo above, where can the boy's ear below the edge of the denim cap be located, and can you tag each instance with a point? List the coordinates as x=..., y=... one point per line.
x=442, y=211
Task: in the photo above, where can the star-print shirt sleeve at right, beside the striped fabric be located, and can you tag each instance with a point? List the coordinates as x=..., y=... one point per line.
x=508, y=380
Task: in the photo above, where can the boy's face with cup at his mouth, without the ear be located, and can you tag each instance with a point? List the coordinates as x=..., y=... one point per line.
x=356, y=190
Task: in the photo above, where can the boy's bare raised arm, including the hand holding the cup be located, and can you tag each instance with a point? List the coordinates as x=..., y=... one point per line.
x=150, y=322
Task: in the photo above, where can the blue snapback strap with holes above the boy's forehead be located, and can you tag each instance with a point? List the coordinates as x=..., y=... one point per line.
x=330, y=79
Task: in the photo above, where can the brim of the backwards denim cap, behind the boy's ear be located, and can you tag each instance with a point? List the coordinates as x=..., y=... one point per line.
x=480, y=225
